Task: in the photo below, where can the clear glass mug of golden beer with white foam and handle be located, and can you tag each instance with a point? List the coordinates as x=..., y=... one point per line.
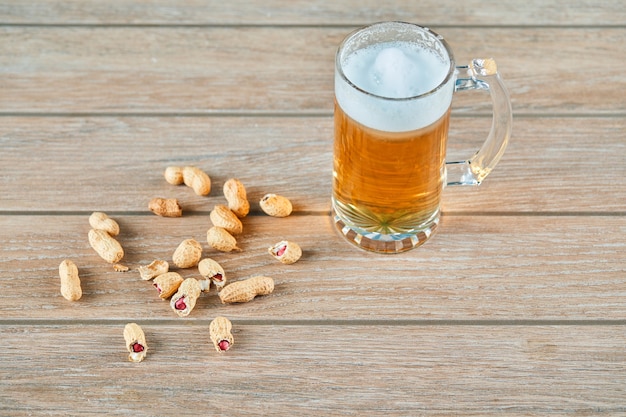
x=394, y=83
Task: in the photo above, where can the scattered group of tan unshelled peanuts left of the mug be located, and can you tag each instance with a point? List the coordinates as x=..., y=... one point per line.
x=183, y=293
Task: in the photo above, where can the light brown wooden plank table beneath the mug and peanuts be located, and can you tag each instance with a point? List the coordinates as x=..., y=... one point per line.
x=516, y=307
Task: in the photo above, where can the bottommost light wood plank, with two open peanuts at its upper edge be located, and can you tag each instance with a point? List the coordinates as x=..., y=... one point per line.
x=312, y=370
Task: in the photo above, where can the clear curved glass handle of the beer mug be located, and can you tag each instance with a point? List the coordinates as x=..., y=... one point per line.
x=474, y=170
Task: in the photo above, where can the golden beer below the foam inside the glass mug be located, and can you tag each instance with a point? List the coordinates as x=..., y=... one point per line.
x=388, y=182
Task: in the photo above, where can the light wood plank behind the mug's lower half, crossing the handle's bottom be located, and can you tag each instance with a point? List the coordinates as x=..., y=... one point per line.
x=556, y=165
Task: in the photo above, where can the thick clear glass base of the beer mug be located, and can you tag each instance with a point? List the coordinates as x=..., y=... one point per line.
x=379, y=242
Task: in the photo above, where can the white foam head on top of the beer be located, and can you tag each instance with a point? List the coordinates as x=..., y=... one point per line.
x=398, y=86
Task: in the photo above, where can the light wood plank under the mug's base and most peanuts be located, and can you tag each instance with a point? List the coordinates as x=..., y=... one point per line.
x=475, y=268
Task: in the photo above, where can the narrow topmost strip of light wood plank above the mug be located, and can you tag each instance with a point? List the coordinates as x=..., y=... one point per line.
x=281, y=12
